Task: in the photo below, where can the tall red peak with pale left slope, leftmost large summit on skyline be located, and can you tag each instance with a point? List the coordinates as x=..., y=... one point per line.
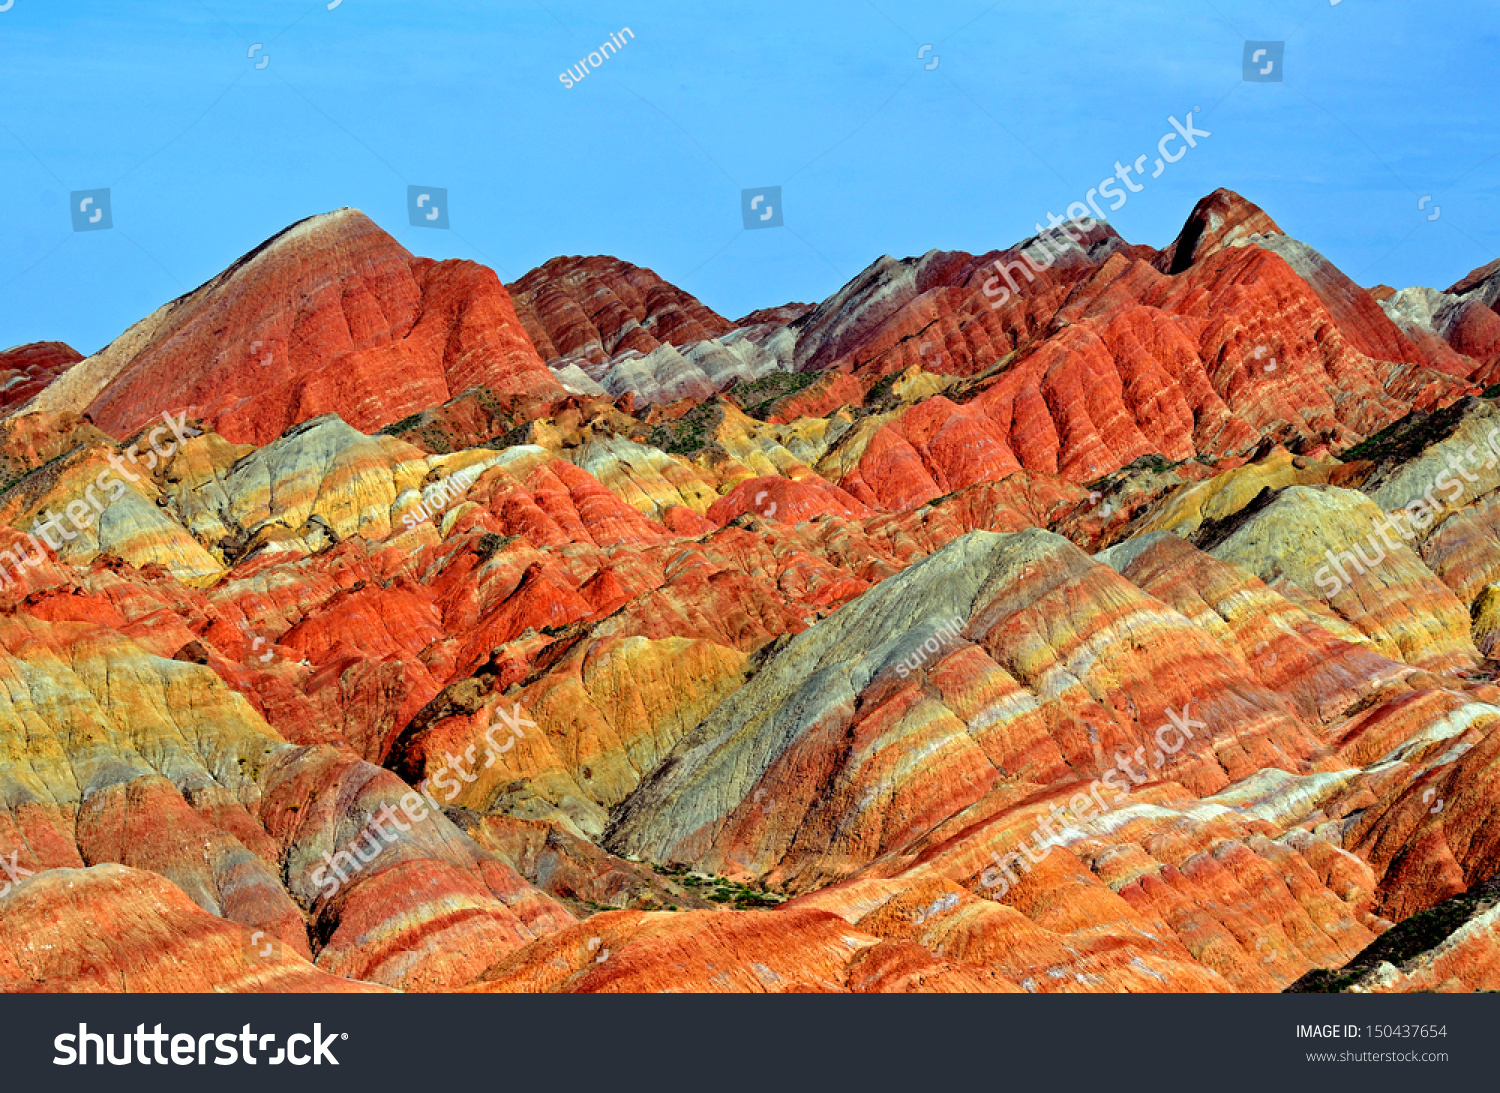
x=359, y=328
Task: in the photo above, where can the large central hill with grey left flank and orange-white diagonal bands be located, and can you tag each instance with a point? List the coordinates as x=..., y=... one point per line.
x=973, y=624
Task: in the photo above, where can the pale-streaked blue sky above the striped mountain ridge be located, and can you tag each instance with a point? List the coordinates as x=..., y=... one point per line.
x=1030, y=106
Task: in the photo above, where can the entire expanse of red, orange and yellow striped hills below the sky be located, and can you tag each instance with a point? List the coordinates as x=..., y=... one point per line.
x=898, y=642
